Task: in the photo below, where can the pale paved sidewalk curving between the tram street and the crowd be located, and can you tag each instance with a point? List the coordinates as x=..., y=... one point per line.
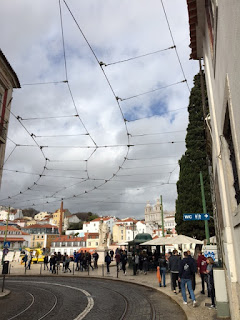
x=200, y=312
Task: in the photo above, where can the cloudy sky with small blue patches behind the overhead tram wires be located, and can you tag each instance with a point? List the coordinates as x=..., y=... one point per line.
x=100, y=120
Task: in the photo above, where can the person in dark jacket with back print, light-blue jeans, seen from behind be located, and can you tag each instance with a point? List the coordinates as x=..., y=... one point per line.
x=186, y=270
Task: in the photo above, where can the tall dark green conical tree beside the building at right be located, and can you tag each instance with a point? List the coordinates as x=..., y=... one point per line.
x=192, y=162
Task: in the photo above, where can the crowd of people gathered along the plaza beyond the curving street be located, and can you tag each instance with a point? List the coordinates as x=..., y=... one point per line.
x=182, y=270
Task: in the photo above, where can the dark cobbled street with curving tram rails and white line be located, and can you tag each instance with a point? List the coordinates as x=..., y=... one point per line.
x=97, y=298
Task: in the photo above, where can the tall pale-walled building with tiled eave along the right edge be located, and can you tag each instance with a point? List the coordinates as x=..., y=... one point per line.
x=214, y=36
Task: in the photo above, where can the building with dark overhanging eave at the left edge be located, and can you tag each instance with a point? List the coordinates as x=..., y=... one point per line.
x=8, y=81
